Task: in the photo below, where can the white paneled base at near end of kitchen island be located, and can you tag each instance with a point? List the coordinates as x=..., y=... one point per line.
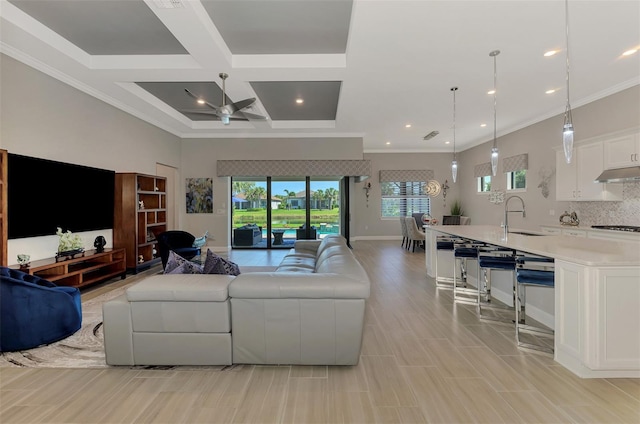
x=597, y=320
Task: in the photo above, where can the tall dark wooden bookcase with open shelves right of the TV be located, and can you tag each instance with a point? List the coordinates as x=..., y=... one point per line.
x=140, y=215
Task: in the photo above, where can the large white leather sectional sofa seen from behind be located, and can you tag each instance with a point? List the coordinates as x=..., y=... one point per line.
x=309, y=311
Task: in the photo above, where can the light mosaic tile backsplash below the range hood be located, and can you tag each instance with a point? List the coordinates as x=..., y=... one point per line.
x=625, y=212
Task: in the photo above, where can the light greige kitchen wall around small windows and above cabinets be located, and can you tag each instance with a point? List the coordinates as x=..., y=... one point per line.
x=613, y=113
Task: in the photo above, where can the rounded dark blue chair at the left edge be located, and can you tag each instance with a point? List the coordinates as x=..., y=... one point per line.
x=34, y=311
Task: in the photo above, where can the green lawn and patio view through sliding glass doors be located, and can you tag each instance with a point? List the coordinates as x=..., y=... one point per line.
x=272, y=213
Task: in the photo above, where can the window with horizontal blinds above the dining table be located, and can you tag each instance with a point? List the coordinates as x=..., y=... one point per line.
x=403, y=198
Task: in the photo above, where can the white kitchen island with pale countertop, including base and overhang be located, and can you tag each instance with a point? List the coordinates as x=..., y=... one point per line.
x=597, y=295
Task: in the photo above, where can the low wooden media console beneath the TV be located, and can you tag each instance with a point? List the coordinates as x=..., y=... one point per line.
x=91, y=268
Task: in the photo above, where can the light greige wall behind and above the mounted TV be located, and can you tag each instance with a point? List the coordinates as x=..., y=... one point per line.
x=45, y=118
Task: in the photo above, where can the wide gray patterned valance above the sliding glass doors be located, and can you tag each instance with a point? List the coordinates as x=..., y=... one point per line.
x=359, y=169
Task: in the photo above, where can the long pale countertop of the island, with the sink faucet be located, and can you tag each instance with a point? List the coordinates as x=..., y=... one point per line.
x=579, y=250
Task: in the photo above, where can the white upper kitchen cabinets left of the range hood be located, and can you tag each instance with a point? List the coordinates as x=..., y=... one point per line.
x=575, y=181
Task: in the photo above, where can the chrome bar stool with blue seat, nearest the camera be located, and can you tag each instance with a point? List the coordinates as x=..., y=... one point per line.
x=532, y=271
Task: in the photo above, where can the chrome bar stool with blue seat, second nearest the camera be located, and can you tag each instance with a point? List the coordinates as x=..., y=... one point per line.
x=493, y=258
